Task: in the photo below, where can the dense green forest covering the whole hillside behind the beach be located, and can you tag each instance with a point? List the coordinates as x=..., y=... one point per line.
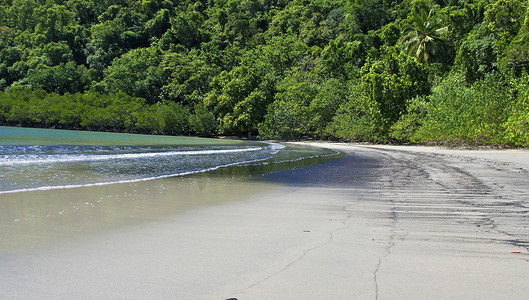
x=421, y=71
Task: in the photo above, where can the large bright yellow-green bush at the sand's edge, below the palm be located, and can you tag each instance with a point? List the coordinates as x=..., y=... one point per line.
x=463, y=114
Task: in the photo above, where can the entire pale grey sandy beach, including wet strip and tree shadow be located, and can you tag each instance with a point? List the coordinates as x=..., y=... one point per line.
x=383, y=222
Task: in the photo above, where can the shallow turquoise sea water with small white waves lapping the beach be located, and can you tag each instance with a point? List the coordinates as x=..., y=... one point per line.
x=42, y=159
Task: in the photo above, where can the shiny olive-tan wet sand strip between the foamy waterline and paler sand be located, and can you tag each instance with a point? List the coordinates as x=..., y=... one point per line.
x=33, y=218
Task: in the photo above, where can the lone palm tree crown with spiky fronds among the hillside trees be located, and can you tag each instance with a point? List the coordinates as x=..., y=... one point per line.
x=422, y=35
